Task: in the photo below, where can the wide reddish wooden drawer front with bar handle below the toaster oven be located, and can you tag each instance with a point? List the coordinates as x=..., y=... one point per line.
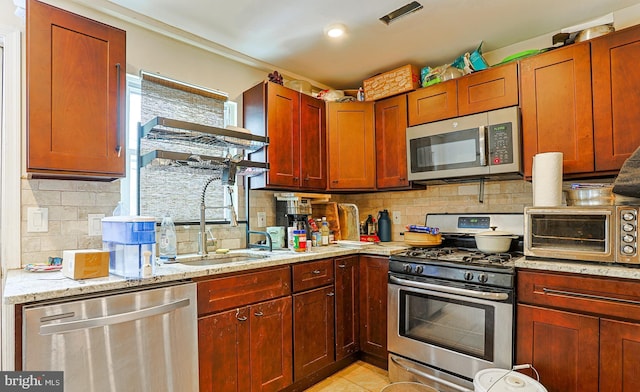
x=587, y=294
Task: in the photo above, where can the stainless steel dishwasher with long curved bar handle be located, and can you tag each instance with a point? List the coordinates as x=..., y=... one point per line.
x=136, y=340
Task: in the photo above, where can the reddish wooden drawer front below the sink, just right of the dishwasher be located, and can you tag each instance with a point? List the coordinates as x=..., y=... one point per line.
x=229, y=292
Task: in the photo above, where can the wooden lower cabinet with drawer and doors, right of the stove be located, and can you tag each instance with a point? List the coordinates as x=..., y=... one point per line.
x=581, y=333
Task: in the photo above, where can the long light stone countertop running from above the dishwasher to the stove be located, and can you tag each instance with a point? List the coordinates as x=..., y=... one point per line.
x=23, y=287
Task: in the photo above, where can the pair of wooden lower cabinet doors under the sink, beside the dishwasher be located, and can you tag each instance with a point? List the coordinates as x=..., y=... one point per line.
x=247, y=349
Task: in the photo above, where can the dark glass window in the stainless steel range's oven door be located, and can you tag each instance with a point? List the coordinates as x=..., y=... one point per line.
x=461, y=326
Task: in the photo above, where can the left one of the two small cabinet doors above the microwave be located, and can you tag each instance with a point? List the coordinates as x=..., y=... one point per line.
x=433, y=103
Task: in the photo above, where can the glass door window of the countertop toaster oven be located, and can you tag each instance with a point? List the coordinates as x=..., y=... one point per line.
x=570, y=232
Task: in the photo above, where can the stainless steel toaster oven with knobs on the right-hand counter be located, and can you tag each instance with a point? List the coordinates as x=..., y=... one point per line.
x=600, y=233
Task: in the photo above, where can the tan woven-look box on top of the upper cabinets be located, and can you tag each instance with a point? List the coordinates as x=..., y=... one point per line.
x=397, y=81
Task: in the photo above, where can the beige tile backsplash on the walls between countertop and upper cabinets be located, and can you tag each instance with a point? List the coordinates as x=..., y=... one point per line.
x=70, y=202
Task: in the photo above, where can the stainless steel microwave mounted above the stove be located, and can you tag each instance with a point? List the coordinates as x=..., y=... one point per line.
x=478, y=145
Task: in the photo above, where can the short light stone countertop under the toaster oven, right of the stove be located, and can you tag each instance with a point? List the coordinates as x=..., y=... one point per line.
x=581, y=267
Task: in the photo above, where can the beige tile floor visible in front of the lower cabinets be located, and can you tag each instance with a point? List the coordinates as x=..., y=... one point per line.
x=357, y=377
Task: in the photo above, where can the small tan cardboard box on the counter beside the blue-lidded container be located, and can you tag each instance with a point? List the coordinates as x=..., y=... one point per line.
x=85, y=263
